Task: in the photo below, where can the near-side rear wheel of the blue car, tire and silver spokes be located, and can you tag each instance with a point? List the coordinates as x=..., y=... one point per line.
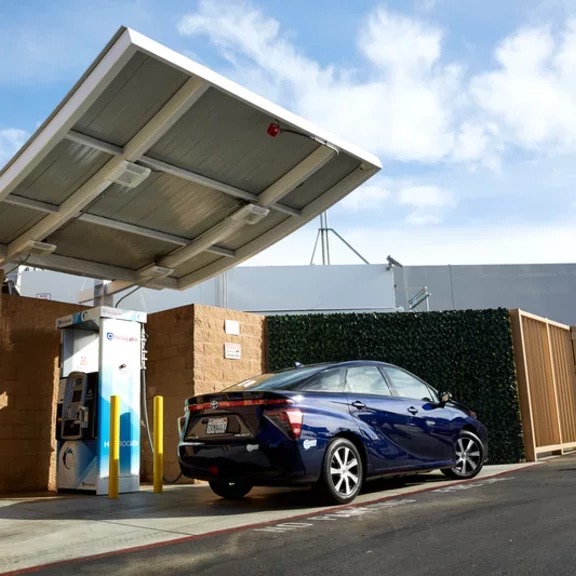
x=342, y=472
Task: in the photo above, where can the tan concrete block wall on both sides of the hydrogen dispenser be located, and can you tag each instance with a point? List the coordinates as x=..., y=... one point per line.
x=185, y=357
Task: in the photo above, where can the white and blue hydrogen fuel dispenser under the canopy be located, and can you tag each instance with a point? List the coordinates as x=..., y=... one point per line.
x=102, y=354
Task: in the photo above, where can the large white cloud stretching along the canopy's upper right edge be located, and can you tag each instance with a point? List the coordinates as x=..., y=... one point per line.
x=405, y=108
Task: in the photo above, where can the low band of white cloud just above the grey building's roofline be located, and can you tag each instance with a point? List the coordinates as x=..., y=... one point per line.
x=433, y=245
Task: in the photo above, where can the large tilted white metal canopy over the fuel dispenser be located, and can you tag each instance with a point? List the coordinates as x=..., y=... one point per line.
x=156, y=170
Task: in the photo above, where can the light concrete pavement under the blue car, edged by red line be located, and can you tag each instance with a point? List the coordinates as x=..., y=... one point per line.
x=39, y=530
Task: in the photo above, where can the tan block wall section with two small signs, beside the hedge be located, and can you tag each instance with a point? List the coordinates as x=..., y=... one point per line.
x=186, y=358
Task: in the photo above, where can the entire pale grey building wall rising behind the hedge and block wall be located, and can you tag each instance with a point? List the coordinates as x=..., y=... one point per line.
x=548, y=290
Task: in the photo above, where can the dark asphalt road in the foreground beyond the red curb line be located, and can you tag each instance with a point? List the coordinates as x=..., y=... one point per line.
x=521, y=523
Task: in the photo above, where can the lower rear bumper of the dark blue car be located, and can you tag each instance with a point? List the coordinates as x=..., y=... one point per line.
x=280, y=465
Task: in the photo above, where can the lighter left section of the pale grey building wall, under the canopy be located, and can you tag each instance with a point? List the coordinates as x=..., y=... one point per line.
x=270, y=289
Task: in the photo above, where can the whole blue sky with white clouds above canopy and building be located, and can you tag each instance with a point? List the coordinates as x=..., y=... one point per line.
x=471, y=106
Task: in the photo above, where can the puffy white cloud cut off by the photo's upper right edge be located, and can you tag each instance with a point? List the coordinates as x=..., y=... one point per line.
x=532, y=92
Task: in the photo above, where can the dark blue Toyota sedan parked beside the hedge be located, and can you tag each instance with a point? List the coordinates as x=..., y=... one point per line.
x=331, y=426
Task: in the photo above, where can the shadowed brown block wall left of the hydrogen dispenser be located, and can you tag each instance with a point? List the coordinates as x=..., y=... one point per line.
x=29, y=349
